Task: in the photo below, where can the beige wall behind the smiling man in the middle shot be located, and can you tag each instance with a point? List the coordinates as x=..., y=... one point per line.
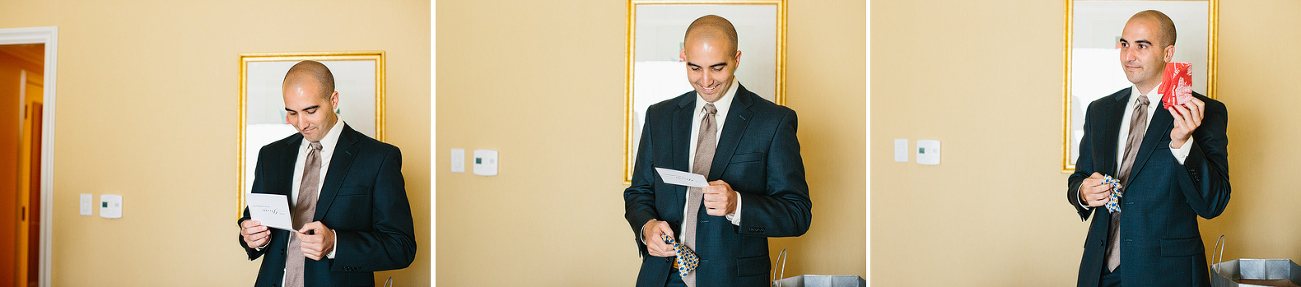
x=543, y=84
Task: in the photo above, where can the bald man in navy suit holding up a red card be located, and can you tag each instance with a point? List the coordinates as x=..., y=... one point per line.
x=1172, y=164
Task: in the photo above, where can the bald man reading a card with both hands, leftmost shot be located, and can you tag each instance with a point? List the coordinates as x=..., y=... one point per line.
x=351, y=211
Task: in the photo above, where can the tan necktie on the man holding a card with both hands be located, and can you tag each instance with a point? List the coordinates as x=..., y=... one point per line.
x=304, y=212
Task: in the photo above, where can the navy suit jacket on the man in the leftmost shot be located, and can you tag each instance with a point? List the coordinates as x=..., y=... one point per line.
x=364, y=199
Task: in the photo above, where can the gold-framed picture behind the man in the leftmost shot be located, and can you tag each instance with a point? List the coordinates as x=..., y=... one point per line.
x=358, y=79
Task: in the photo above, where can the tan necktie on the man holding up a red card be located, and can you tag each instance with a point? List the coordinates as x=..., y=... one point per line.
x=1138, y=129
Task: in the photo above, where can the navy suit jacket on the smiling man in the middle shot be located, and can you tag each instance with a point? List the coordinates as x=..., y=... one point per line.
x=758, y=155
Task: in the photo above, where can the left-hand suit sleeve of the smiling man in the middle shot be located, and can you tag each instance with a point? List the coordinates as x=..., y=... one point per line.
x=639, y=198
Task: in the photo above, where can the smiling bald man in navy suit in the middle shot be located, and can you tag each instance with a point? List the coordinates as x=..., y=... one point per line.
x=745, y=146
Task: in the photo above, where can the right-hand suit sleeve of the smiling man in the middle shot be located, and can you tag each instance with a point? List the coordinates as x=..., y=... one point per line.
x=785, y=208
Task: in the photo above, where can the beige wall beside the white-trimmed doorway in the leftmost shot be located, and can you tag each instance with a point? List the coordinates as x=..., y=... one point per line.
x=148, y=110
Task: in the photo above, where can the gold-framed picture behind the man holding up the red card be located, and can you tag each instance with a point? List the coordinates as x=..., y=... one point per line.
x=1092, y=67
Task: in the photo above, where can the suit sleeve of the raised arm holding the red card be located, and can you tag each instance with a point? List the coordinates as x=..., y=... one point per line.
x=1205, y=177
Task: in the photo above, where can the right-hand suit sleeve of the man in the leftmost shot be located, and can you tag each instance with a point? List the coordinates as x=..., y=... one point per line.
x=392, y=243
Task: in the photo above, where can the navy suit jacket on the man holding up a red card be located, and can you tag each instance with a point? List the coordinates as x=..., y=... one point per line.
x=1160, y=241
